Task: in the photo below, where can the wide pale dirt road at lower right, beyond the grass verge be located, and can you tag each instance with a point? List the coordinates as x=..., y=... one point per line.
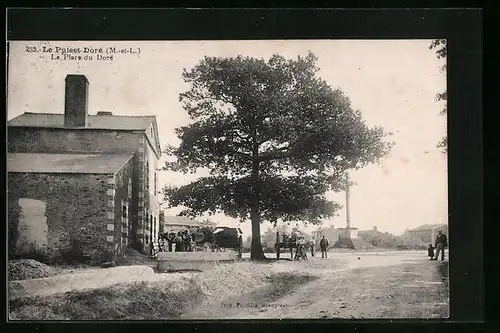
x=359, y=285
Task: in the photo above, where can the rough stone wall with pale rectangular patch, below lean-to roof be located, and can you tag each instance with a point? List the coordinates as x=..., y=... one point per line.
x=62, y=215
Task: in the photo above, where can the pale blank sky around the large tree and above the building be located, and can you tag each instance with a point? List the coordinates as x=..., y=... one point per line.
x=392, y=82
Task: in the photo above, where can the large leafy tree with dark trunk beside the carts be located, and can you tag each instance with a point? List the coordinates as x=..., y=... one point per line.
x=274, y=137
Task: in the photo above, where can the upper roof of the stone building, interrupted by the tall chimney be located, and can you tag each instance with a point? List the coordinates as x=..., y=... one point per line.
x=56, y=120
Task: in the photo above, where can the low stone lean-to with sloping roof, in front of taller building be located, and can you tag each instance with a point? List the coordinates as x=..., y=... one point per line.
x=65, y=212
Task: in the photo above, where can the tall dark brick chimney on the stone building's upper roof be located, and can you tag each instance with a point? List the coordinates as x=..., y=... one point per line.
x=76, y=101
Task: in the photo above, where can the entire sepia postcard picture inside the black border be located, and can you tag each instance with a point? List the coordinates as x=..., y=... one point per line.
x=227, y=179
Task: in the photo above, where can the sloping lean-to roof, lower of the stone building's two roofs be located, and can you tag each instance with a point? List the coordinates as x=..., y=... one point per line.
x=66, y=163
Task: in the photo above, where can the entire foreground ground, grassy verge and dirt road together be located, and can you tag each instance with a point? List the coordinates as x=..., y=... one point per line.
x=348, y=284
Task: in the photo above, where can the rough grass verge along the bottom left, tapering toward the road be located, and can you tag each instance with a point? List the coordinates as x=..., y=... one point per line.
x=145, y=300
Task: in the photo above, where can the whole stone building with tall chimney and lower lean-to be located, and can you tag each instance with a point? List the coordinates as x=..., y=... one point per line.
x=80, y=178
